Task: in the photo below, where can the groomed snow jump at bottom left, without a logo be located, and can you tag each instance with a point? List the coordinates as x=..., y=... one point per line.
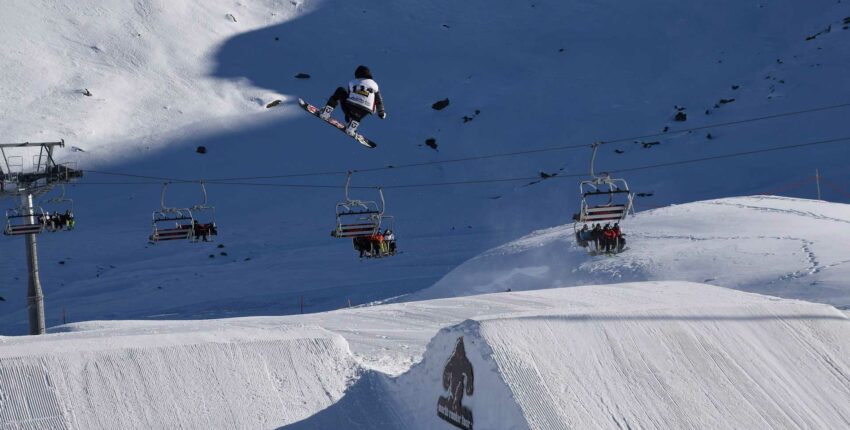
x=233, y=378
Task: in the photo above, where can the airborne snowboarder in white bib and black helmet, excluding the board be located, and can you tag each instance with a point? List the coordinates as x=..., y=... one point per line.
x=360, y=99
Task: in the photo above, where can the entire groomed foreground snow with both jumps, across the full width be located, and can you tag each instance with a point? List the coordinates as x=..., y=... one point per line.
x=648, y=355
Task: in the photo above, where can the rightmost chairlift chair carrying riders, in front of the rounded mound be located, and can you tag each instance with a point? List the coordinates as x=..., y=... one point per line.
x=604, y=200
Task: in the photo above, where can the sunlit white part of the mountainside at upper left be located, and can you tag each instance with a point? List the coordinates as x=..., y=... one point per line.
x=147, y=65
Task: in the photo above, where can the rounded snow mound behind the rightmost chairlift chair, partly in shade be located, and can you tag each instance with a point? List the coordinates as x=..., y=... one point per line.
x=780, y=246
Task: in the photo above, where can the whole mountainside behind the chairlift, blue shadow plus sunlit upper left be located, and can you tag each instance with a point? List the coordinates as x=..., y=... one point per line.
x=541, y=73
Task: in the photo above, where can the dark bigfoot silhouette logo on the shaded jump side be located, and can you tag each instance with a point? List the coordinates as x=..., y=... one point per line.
x=457, y=378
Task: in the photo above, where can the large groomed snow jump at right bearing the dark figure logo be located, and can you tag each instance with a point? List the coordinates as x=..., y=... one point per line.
x=650, y=356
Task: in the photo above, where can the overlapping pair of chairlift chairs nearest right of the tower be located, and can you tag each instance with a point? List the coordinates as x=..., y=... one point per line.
x=182, y=223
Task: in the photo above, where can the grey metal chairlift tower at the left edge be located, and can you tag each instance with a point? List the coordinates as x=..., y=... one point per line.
x=17, y=181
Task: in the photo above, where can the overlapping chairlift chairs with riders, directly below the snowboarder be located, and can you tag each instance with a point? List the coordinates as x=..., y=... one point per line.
x=365, y=222
